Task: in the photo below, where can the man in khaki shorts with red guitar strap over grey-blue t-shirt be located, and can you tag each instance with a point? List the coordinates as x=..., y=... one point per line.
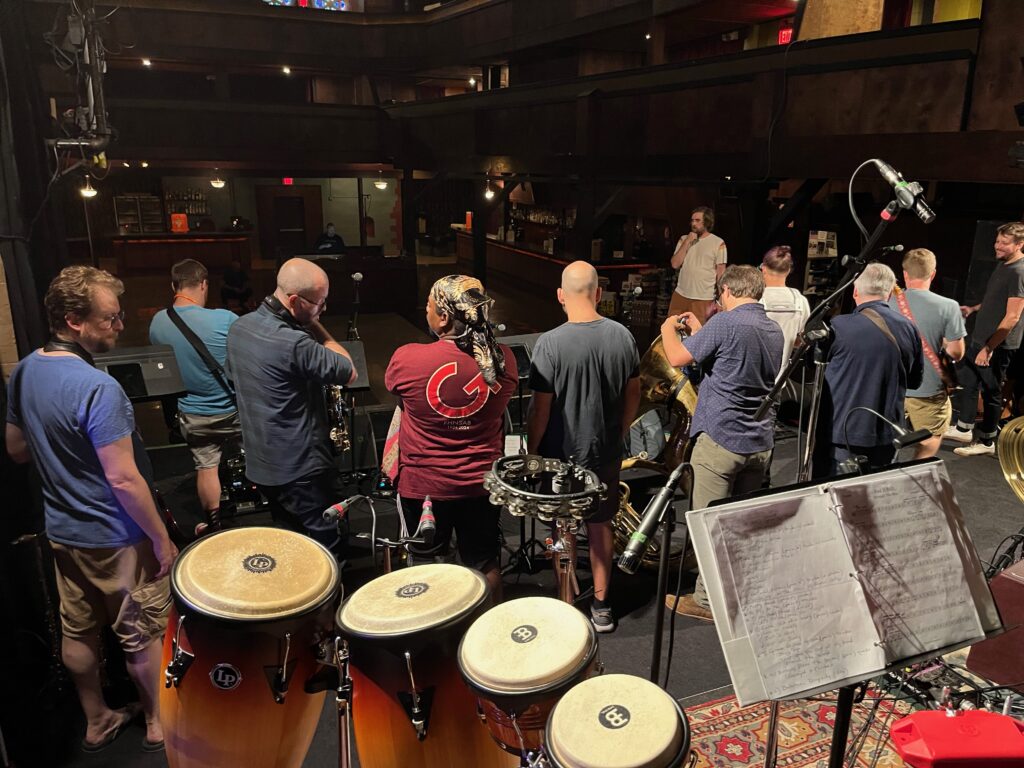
x=942, y=328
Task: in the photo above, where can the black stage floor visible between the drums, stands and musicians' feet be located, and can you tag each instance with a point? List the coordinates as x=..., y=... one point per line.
x=698, y=672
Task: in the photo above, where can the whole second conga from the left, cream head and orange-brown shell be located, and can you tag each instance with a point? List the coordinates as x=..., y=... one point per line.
x=409, y=707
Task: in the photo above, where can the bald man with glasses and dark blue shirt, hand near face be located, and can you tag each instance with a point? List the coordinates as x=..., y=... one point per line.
x=279, y=359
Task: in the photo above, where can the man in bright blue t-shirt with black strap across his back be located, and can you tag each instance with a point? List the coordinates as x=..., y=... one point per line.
x=207, y=414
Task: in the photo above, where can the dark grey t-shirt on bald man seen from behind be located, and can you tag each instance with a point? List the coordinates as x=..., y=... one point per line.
x=586, y=366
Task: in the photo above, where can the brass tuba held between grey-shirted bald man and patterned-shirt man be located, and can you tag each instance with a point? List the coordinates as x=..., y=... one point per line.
x=661, y=385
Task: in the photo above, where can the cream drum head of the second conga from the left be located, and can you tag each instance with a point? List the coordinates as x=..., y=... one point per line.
x=411, y=601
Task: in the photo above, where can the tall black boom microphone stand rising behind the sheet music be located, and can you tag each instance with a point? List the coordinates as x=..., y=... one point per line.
x=818, y=330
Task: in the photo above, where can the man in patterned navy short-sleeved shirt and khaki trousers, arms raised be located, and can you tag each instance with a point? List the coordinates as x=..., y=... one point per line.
x=741, y=352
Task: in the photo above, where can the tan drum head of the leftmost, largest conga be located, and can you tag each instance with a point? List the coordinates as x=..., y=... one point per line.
x=255, y=575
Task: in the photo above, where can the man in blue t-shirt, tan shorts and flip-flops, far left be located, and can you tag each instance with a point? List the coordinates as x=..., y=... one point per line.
x=110, y=545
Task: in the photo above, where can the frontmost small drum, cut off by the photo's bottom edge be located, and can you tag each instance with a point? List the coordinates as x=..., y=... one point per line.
x=617, y=721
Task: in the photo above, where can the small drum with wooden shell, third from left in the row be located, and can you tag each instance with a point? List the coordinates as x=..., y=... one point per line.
x=519, y=659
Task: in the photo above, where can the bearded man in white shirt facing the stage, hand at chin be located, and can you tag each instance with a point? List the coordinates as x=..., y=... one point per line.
x=701, y=259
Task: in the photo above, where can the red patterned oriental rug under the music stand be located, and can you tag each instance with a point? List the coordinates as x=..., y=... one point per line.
x=728, y=736
